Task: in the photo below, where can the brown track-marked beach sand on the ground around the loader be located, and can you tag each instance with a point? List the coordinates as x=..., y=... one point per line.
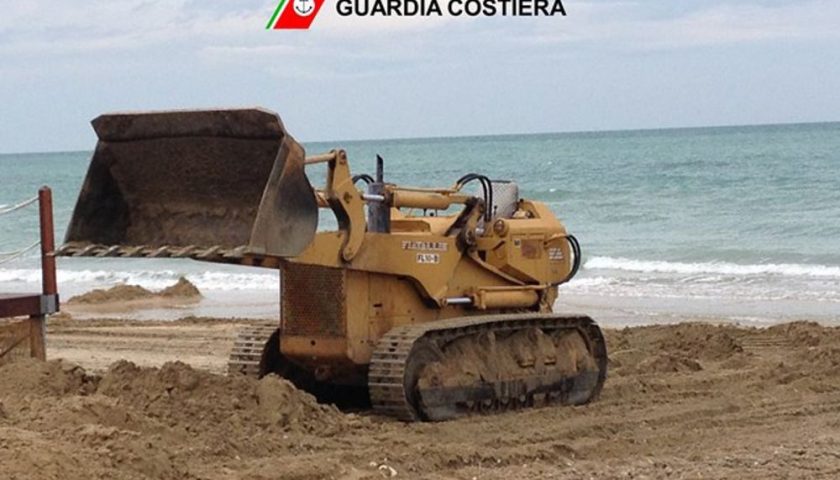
x=681, y=401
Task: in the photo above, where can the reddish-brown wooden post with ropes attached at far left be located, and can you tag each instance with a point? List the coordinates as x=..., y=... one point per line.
x=38, y=330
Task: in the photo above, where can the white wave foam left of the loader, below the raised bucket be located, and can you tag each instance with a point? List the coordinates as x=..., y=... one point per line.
x=208, y=280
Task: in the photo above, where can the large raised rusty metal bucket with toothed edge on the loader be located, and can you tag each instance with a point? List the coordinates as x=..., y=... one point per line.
x=193, y=183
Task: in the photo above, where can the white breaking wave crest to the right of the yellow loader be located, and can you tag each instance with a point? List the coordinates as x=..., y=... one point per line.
x=720, y=268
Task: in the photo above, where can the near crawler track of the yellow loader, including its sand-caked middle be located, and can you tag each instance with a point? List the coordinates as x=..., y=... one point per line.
x=402, y=386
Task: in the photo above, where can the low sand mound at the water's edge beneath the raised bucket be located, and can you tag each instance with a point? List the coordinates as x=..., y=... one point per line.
x=135, y=296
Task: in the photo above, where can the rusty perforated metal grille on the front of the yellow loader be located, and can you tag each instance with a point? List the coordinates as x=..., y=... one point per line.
x=314, y=301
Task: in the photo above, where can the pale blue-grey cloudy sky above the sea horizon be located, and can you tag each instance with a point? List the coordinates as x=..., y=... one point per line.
x=607, y=65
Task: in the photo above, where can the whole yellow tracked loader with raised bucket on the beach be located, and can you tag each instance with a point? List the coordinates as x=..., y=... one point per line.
x=428, y=303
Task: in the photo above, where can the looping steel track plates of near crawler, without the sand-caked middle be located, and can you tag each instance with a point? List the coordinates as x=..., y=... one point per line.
x=393, y=373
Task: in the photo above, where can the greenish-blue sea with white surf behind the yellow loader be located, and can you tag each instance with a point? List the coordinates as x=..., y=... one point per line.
x=725, y=224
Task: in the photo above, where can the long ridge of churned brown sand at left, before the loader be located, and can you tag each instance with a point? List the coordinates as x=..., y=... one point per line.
x=176, y=393
